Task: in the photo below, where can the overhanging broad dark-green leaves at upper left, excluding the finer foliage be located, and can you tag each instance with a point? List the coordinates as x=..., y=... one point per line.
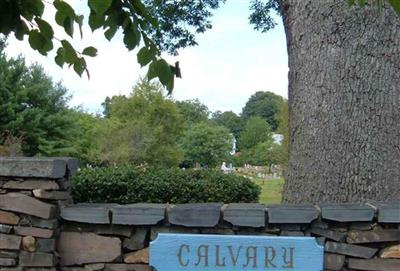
x=130, y=16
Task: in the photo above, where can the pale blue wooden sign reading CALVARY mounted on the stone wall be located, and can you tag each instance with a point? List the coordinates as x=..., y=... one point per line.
x=176, y=252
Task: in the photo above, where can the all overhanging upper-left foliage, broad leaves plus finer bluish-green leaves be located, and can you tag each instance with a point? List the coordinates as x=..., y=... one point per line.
x=155, y=25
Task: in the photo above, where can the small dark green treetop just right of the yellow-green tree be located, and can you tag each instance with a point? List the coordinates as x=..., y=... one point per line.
x=193, y=111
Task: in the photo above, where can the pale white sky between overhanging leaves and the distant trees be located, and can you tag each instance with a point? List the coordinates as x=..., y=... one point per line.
x=231, y=62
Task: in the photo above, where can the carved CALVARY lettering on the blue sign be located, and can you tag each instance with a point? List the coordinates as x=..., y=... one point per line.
x=266, y=257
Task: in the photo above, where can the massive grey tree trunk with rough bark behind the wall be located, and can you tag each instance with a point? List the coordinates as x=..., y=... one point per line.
x=344, y=98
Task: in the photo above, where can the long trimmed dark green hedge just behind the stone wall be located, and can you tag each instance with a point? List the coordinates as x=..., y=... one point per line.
x=130, y=184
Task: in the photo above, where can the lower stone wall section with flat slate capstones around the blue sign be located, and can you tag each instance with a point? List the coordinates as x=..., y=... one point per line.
x=355, y=236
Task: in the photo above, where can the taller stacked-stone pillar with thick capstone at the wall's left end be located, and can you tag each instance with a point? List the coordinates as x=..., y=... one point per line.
x=31, y=193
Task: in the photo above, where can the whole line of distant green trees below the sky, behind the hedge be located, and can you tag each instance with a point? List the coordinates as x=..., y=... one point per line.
x=145, y=127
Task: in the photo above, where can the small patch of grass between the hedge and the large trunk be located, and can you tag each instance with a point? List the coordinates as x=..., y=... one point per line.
x=271, y=190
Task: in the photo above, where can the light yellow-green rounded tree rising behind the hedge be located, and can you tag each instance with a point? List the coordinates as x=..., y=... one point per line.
x=141, y=128
